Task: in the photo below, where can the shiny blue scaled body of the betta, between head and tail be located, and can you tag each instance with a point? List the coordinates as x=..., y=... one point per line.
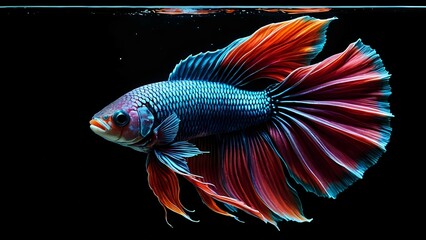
x=204, y=108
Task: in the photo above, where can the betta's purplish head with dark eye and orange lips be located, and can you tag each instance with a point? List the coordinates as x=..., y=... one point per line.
x=118, y=122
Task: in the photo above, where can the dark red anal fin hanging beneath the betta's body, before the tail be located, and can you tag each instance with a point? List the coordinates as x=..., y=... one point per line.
x=242, y=166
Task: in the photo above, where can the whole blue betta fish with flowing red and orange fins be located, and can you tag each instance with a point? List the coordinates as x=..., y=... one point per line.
x=247, y=123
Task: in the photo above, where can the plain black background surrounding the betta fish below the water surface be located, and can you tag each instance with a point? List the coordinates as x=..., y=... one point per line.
x=61, y=66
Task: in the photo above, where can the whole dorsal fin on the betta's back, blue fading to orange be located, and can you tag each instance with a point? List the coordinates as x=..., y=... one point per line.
x=271, y=52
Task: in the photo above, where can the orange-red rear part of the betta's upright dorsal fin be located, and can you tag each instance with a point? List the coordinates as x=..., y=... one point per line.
x=275, y=50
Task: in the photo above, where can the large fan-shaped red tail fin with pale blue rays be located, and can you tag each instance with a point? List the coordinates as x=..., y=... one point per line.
x=332, y=119
